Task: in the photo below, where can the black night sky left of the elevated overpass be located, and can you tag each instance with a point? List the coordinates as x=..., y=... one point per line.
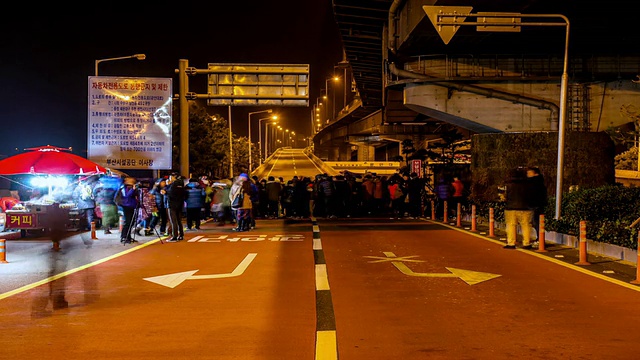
x=48, y=52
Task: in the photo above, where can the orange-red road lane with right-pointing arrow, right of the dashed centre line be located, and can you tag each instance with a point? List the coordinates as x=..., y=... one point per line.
x=381, y=309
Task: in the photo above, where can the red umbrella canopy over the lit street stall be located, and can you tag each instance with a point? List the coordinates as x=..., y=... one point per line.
x=49, y=160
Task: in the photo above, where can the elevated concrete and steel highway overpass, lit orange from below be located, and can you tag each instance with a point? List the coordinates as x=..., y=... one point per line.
x=409, y=84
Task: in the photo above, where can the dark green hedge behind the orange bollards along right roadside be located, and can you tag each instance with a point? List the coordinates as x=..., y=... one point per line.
x=608, y=211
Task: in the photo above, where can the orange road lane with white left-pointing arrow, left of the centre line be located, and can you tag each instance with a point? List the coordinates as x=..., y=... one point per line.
x=268, y=309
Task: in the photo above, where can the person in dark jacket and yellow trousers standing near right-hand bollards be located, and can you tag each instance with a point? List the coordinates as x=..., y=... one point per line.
x=517, y=210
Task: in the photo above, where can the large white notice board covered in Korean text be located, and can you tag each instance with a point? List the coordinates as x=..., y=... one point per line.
x=130, y=122
